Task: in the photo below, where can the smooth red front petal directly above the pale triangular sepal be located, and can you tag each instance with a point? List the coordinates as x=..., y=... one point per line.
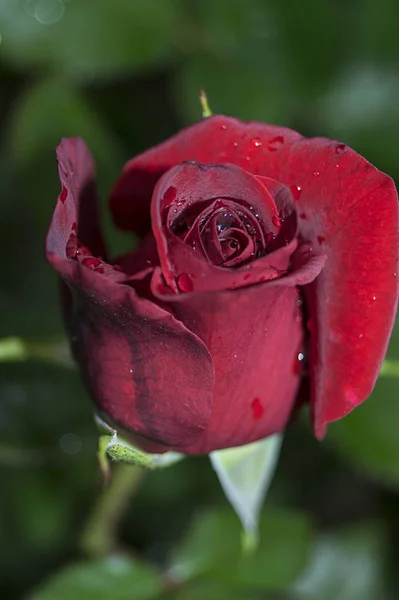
x=254, y=336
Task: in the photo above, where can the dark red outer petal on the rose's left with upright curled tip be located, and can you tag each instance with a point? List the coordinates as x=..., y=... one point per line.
x=144, y=369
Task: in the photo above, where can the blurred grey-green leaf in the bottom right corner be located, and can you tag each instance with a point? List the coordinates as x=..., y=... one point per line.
x=347, y=564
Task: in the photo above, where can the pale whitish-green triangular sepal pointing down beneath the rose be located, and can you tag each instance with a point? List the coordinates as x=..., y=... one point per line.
x=245, y=474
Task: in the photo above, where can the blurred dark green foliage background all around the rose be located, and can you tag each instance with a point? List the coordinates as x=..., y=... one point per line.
x=125, y=74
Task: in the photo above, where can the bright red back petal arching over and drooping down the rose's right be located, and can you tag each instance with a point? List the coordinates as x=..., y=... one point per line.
x=346, y=207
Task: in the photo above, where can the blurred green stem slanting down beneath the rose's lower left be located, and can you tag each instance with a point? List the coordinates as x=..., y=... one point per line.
x=100, y=533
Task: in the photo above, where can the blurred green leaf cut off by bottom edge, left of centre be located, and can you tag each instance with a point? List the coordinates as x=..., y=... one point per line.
x=116, y=577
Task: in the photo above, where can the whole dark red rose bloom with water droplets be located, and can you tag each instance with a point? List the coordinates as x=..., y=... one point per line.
x=259, y=248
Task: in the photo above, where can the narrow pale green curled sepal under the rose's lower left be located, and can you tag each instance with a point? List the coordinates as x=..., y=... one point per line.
x=112, y=445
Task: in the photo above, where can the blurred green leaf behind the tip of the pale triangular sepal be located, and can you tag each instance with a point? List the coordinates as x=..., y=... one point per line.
x=212, y=548
